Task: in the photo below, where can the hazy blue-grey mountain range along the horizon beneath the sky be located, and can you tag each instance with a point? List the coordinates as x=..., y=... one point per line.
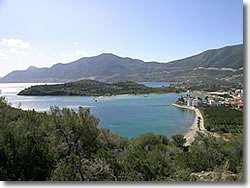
x=224, y=64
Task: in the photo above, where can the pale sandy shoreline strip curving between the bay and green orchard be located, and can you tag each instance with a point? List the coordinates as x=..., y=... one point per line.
x=190, y=136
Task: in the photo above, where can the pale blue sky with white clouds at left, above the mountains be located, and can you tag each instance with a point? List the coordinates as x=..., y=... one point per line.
x=45, y=32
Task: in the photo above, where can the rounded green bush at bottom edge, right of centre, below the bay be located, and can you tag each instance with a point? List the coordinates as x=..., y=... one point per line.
x=149, y=159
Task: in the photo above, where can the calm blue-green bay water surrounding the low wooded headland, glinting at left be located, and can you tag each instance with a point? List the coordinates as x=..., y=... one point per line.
x=129, y=116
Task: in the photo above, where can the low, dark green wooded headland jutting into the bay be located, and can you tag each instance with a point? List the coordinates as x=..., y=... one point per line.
x=95, y=88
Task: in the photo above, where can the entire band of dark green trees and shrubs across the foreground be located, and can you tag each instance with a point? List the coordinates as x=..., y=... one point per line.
x=64, y=145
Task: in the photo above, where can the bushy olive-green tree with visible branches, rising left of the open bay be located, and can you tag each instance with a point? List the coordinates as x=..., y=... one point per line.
x=77, y=133
